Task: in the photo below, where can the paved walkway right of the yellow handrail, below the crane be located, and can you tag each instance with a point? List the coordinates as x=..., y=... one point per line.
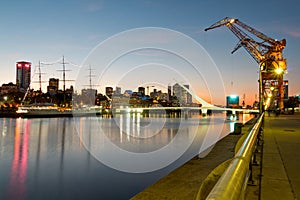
x=281, y=158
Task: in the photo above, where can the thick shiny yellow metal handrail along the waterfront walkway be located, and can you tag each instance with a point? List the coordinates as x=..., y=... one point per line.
x=232, y=183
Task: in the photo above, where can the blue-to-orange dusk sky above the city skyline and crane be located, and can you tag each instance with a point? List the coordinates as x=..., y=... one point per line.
x=41, y=30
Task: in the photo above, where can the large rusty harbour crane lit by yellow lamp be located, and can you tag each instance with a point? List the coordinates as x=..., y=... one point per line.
x=268, y=54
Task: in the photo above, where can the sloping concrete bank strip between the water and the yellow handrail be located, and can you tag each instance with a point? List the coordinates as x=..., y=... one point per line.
x=185, y=181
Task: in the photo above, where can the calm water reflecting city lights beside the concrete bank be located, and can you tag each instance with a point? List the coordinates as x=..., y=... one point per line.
x=48, y=158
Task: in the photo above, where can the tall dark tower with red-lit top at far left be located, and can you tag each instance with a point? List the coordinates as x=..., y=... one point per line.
x=23, y=75
